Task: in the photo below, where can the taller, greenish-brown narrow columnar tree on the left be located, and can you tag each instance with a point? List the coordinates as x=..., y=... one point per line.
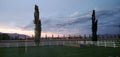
x=37, y=23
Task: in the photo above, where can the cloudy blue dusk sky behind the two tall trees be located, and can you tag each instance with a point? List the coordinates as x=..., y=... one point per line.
x=59, y=16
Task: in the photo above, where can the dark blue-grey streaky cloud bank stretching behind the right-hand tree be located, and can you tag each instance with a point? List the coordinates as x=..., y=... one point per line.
x=76, y=23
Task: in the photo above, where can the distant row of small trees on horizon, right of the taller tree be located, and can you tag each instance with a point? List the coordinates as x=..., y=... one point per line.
x=105, y=36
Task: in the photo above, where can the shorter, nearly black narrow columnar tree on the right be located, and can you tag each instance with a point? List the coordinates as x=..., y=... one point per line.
x=94, y=26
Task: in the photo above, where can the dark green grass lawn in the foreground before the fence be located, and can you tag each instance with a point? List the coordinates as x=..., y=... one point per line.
x=59, y=51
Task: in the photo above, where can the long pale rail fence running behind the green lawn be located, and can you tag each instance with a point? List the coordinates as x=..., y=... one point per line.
x=60, y=42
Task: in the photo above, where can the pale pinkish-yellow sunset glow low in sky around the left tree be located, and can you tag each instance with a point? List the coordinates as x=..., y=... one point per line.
x=26, y=32
